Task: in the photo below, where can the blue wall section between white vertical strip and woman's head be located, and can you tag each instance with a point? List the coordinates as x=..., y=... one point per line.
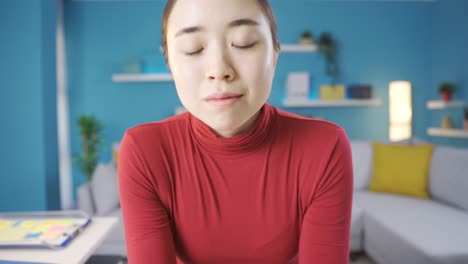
x=100, y=38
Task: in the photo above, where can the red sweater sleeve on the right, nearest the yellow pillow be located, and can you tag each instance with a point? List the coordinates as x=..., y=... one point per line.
x=324, y=236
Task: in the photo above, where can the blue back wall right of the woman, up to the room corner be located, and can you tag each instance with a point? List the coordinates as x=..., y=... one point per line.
x=380, y=42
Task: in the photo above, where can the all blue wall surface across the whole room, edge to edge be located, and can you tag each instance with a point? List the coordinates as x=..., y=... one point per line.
x=380, y=42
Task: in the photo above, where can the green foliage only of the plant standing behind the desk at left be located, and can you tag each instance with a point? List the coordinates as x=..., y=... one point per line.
x=90, y=132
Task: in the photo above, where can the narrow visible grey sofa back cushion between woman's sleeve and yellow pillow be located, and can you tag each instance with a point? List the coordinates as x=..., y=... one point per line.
x=361, y=152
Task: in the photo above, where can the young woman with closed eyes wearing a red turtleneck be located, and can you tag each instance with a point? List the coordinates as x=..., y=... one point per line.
x=233, y=180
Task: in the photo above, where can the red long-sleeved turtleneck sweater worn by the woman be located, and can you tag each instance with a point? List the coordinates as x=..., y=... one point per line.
x=278, y=193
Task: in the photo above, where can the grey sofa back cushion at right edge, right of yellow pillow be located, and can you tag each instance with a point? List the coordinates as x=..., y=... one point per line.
x=448, y=176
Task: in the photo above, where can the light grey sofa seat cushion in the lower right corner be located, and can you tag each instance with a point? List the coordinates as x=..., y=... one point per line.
x=400, y=229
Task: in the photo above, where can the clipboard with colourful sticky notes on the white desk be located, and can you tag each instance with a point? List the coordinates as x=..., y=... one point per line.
x=49, y=229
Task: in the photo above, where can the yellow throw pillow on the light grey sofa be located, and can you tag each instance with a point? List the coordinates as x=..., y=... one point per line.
x=401, y=169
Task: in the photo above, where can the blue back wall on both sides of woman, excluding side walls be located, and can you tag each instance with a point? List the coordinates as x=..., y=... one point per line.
x=380, y=42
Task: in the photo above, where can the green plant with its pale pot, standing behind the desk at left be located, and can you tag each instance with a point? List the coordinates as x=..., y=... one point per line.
x=90, y=132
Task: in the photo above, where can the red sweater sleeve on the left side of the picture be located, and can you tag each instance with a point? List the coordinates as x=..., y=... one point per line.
x=146, y=223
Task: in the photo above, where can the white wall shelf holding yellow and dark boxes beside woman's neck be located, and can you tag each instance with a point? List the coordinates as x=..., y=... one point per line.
x=331, y=103
